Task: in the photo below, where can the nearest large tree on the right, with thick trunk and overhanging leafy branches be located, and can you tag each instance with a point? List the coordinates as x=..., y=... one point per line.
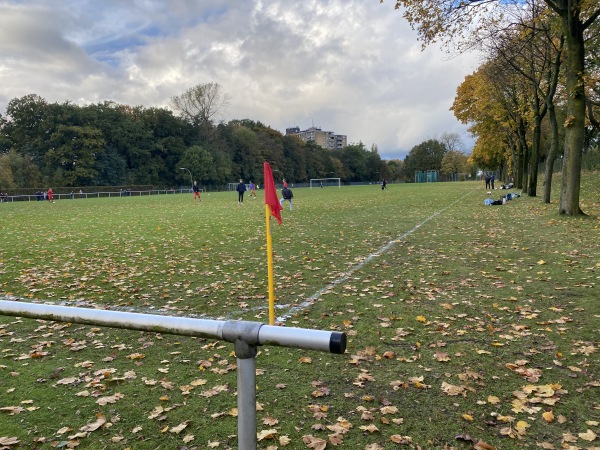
x=449, y=19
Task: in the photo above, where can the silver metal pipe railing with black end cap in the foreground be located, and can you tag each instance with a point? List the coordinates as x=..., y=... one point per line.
x=246, y=337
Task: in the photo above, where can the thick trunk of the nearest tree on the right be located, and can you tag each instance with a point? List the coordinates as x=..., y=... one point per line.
x=575, y=121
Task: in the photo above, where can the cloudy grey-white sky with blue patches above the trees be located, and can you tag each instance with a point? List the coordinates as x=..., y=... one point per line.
x=349, y=66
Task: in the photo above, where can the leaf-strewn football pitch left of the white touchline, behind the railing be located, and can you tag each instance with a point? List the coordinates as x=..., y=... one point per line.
x=209, y=258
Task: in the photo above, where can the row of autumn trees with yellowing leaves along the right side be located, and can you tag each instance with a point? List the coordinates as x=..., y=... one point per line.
x=536, y=96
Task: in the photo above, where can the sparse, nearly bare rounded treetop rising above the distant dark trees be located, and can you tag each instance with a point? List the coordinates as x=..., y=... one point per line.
x=199, y=105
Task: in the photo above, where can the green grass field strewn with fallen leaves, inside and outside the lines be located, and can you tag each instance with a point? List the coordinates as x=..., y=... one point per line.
x=469, y=326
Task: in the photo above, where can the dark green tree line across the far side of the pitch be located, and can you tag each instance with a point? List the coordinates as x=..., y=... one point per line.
x=46, y=144
